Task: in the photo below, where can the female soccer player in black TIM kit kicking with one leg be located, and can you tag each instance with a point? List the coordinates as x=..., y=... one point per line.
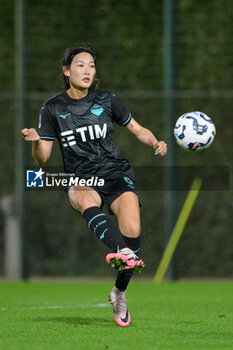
x=81, y=118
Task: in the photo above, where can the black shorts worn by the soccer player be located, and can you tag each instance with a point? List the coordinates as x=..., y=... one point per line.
x=112, y=189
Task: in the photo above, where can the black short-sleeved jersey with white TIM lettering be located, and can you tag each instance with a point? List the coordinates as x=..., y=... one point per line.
x=84, y=128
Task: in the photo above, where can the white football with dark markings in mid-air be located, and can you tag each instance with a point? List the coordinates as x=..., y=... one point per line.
x=194, y=131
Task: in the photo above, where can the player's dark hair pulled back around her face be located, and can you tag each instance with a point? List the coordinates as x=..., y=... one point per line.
x=67, y=59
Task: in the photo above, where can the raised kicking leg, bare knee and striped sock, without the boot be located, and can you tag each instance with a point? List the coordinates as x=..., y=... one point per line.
x=88, y=202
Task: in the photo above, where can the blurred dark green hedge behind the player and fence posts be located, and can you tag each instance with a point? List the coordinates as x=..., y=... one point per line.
x=128, y=38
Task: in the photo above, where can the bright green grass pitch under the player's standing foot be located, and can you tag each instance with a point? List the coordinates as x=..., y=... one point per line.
x=57, y=315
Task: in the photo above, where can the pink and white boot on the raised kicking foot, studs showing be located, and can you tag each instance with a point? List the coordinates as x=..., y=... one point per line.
x=125, y=259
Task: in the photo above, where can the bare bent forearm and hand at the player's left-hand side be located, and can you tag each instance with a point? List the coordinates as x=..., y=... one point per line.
x=41, y=149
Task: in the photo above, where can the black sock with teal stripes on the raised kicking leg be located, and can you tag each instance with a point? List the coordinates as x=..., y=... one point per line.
x=104, y=228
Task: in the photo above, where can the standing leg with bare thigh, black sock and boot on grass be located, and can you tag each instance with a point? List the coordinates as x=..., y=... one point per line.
x=126, y=208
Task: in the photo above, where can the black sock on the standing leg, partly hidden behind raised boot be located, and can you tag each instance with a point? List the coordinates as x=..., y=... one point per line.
x=124, y=277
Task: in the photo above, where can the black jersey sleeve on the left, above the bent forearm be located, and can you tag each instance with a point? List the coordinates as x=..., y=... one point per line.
x=47, y=124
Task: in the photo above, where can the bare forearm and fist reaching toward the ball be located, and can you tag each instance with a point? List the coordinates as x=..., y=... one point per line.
x=146, y=136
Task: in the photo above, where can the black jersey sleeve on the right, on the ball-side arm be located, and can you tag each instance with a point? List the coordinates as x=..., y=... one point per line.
x=120, y=113
